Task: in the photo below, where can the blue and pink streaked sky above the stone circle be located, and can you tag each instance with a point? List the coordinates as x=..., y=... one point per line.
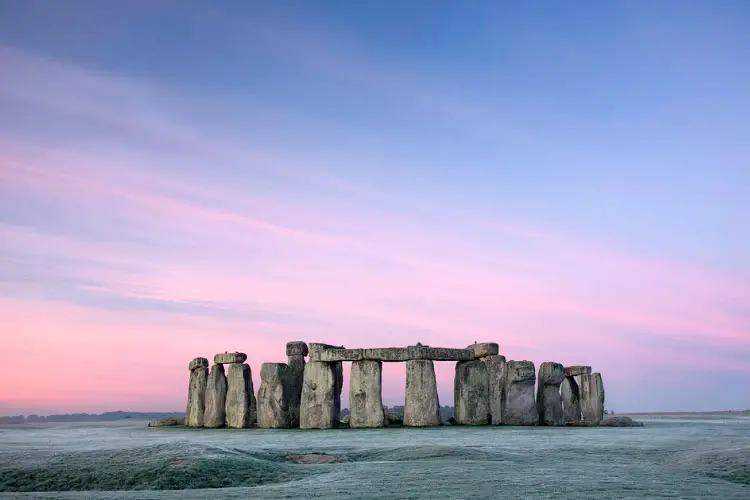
x=570, y=180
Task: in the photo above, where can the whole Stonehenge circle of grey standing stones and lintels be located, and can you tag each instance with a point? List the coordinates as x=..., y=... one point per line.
x=305, y=392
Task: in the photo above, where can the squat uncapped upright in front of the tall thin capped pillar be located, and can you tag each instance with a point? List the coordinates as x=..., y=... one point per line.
x=273, y=396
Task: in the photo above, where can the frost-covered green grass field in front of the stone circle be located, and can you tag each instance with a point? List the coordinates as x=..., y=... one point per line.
x=685, y=458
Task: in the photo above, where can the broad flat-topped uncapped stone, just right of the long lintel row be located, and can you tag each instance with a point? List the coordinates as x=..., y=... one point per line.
x=520, y=403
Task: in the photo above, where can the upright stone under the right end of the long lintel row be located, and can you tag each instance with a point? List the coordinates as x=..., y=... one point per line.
x=471, y=393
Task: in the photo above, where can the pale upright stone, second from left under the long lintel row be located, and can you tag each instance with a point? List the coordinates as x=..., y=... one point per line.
x=365, y=394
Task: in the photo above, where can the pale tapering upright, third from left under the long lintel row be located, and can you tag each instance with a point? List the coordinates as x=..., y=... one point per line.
x=422, y=407
